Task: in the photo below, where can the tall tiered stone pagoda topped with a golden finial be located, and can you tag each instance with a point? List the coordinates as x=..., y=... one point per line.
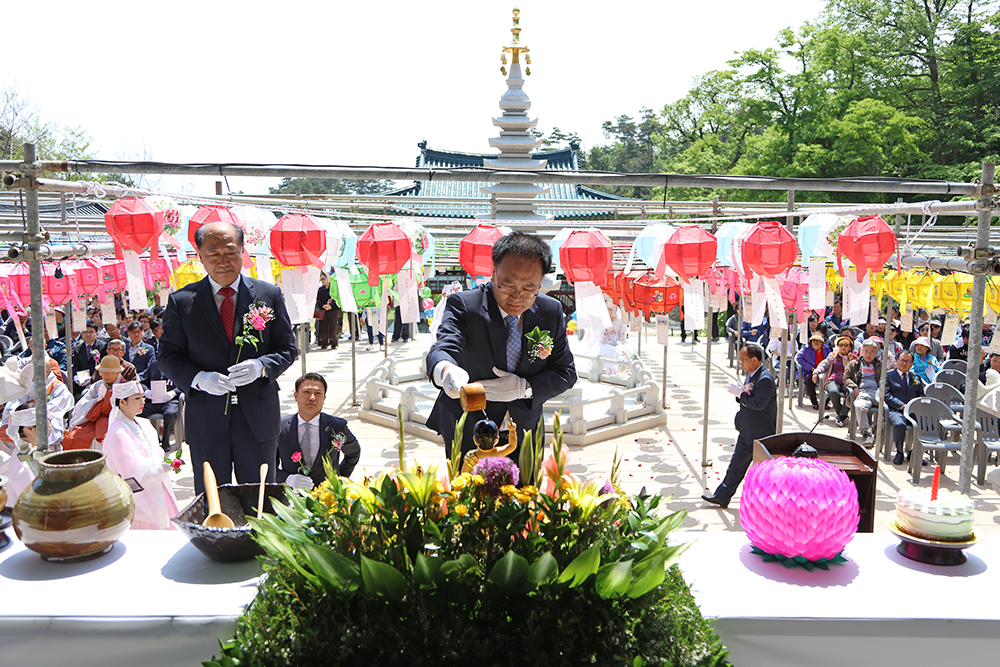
x=515, y=142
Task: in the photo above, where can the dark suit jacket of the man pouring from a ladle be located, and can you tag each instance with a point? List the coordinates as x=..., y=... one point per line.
x=472, y=334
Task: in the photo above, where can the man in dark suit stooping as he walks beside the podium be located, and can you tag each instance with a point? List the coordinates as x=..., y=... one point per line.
x=756, y=419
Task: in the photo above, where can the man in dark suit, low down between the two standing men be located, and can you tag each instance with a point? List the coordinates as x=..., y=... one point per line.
x=310, y=436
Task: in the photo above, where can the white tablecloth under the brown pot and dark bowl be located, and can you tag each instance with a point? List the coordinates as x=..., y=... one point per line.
x=154, y=600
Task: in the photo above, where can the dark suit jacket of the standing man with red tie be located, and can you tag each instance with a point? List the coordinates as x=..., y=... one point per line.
x=194, y=340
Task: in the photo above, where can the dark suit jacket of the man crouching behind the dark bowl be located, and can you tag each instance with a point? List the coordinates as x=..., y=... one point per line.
x=342, y=460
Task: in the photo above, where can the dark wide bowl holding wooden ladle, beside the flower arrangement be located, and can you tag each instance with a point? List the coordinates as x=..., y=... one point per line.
x=228, y=545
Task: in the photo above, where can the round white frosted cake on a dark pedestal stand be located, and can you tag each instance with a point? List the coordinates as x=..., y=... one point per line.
x=947, y=519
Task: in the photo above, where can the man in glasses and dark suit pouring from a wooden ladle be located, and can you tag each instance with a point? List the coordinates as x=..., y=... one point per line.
x=483, y=338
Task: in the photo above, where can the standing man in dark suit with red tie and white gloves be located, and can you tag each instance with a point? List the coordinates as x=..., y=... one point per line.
x=232, y=412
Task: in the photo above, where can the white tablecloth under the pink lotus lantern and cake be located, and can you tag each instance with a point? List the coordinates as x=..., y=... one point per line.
x=879, y=608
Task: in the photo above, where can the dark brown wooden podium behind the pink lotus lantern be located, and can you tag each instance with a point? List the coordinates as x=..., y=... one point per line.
x=861, y=467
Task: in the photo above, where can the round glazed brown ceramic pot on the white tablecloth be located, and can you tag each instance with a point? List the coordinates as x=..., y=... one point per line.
x=76, y=509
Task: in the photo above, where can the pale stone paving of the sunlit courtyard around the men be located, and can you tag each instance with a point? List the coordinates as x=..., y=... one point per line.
x=665, y=460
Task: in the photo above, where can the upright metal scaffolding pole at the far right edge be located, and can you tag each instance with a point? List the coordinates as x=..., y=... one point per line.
x=982, y=250
